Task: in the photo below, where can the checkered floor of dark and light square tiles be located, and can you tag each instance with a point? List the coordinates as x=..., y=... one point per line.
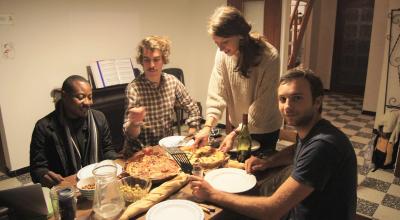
x=378, y=192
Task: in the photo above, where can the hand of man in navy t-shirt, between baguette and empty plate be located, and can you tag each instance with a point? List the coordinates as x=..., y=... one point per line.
x=201, y=189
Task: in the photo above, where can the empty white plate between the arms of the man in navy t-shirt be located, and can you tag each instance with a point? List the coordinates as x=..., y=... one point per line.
x=231, y=180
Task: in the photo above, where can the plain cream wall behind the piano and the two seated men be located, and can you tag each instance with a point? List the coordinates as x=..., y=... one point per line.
x=53, y=39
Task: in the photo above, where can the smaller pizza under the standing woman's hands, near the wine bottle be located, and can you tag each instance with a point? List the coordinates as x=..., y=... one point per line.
x=207, y=156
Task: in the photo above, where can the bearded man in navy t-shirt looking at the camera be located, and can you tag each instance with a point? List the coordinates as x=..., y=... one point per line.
x=323, y=183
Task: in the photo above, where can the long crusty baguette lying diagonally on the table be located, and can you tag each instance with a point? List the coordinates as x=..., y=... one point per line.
x=155, y=196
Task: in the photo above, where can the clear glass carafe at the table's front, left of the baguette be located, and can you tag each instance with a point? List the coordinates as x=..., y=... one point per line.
x=108, y=201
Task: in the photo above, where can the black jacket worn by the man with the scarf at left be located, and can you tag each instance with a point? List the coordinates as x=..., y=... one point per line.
x=49, y=144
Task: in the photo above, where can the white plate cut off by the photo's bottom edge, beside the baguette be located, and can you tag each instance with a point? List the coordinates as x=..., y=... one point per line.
x=175, y=209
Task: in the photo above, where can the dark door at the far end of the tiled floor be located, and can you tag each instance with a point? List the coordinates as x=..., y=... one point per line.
x=351, y=48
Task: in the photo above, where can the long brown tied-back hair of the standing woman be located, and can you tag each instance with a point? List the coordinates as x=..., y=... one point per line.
x=228, y=21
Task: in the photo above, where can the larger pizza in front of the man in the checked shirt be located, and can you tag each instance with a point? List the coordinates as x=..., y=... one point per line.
x=152, y=163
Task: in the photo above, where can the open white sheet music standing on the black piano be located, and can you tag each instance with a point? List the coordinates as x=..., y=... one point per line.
x=112, y=72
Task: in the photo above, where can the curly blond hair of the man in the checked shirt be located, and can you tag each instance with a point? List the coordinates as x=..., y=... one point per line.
x=154, y=43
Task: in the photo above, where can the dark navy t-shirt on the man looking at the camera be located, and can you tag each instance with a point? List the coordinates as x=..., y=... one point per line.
x=325, y=160
